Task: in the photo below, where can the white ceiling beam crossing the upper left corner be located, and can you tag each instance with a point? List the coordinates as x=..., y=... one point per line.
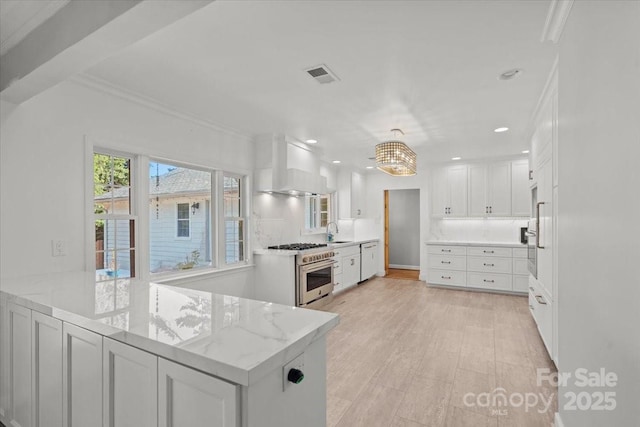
x=80, y=35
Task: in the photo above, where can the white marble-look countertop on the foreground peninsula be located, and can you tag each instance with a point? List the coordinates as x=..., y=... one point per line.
x=237, y=339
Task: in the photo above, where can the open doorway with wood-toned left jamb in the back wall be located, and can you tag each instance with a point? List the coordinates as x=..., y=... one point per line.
x=402, y=234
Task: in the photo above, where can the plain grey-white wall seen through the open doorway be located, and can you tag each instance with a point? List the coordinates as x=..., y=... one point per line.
x=404, y=221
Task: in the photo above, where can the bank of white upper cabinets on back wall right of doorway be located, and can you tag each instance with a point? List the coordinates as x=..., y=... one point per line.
x=499, y=189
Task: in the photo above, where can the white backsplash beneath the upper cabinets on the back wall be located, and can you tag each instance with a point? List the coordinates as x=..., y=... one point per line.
x=477, y=230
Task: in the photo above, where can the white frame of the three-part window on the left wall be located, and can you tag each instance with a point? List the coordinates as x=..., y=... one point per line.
x=139, y=196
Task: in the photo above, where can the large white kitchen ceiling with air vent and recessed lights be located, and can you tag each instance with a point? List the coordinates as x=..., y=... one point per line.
x=427, y=67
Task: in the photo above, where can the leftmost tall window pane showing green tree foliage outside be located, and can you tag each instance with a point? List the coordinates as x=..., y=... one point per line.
x=114, y=222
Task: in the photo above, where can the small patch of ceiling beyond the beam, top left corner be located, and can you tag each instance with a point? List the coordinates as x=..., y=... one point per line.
x=19, y=17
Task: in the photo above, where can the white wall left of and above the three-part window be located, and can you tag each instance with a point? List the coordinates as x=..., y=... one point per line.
x=42, y=166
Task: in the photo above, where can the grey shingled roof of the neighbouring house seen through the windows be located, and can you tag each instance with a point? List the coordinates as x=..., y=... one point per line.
x=179, y=181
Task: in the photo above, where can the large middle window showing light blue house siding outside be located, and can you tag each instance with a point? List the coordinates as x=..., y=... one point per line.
x=179, y=217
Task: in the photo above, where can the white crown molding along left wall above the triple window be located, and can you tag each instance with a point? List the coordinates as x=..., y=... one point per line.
x=109, y=88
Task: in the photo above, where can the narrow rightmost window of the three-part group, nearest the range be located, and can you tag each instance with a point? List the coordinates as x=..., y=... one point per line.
x=234, y=221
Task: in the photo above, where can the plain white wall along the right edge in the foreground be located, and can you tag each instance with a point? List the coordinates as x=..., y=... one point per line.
x=599, y=204
